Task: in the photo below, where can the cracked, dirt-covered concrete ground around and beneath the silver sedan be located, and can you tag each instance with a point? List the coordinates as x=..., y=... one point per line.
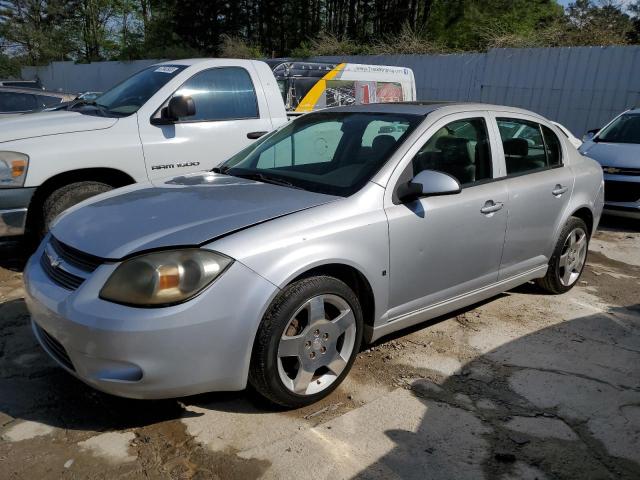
x=524, y=386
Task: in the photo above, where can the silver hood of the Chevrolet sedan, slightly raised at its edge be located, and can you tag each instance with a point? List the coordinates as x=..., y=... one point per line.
x=185, y=211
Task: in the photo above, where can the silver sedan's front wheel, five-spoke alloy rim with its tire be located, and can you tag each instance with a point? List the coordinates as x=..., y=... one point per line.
x=307, y=342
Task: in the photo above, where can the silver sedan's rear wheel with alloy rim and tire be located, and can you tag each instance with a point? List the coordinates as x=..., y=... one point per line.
x=568, y=259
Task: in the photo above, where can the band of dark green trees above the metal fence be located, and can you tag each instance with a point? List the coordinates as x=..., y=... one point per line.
x=40, y=31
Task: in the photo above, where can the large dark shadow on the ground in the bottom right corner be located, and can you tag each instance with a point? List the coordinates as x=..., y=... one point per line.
x=562, y=402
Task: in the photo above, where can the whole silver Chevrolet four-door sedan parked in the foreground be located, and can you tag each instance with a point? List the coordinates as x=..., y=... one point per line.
x=339, y=228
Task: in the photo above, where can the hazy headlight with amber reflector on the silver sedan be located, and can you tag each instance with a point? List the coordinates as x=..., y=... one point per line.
x=164, y=278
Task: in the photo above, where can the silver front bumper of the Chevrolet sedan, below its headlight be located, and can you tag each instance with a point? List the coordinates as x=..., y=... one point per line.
x=199, y=346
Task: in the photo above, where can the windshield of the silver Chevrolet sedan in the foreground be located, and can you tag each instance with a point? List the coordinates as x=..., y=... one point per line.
x=327, y=152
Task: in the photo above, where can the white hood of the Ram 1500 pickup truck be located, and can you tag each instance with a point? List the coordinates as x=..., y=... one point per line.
x=50, y=123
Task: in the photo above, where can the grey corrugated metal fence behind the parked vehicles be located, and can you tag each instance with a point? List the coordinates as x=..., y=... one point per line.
x=581, y=87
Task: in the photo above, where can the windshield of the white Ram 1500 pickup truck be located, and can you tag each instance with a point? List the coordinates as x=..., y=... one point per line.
x=127, y=97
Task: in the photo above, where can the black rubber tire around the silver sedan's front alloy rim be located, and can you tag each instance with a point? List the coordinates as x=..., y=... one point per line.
x=263, y=373
